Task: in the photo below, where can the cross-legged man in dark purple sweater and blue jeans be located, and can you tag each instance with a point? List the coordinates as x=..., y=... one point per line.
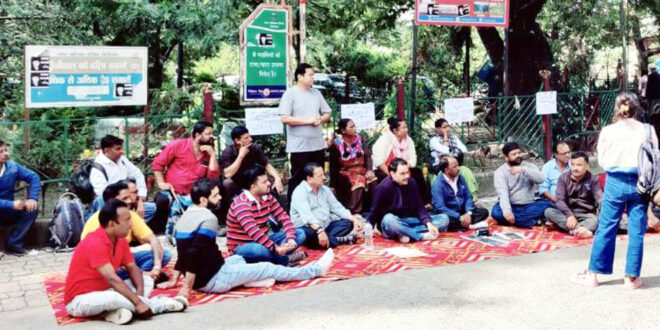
x=398, y=208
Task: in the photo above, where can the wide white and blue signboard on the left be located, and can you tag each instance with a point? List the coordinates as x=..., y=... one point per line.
x=82, y=76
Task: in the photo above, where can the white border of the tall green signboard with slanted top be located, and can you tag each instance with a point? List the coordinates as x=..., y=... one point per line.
x=244, y=101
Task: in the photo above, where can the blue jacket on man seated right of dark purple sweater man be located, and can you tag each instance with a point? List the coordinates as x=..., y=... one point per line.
x=444, y=200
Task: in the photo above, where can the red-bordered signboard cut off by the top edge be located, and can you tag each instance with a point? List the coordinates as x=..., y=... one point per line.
x=445, y=19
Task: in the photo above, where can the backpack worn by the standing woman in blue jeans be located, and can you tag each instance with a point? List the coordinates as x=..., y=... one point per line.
x=648, y=166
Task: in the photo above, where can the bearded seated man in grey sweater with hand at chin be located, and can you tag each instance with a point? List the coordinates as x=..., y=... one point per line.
x=514, y=182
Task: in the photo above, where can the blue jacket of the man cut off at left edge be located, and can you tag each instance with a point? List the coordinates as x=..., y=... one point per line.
x=14, y=173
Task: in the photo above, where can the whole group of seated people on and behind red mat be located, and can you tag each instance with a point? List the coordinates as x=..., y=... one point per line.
x=112, y=274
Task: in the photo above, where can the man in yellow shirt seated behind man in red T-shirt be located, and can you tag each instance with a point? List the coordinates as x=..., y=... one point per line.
x=151, y=256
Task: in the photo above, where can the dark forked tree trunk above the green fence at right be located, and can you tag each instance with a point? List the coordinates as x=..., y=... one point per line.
x=529, y=50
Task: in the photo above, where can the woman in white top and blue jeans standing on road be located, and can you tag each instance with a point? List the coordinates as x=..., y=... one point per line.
x=618, y=146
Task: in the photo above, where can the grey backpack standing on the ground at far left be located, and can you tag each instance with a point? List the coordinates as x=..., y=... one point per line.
x=67, y=222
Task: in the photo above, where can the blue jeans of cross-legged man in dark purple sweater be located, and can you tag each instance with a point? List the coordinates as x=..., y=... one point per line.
x=395, y=227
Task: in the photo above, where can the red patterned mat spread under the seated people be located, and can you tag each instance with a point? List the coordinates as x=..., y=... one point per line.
x=355, y=261
